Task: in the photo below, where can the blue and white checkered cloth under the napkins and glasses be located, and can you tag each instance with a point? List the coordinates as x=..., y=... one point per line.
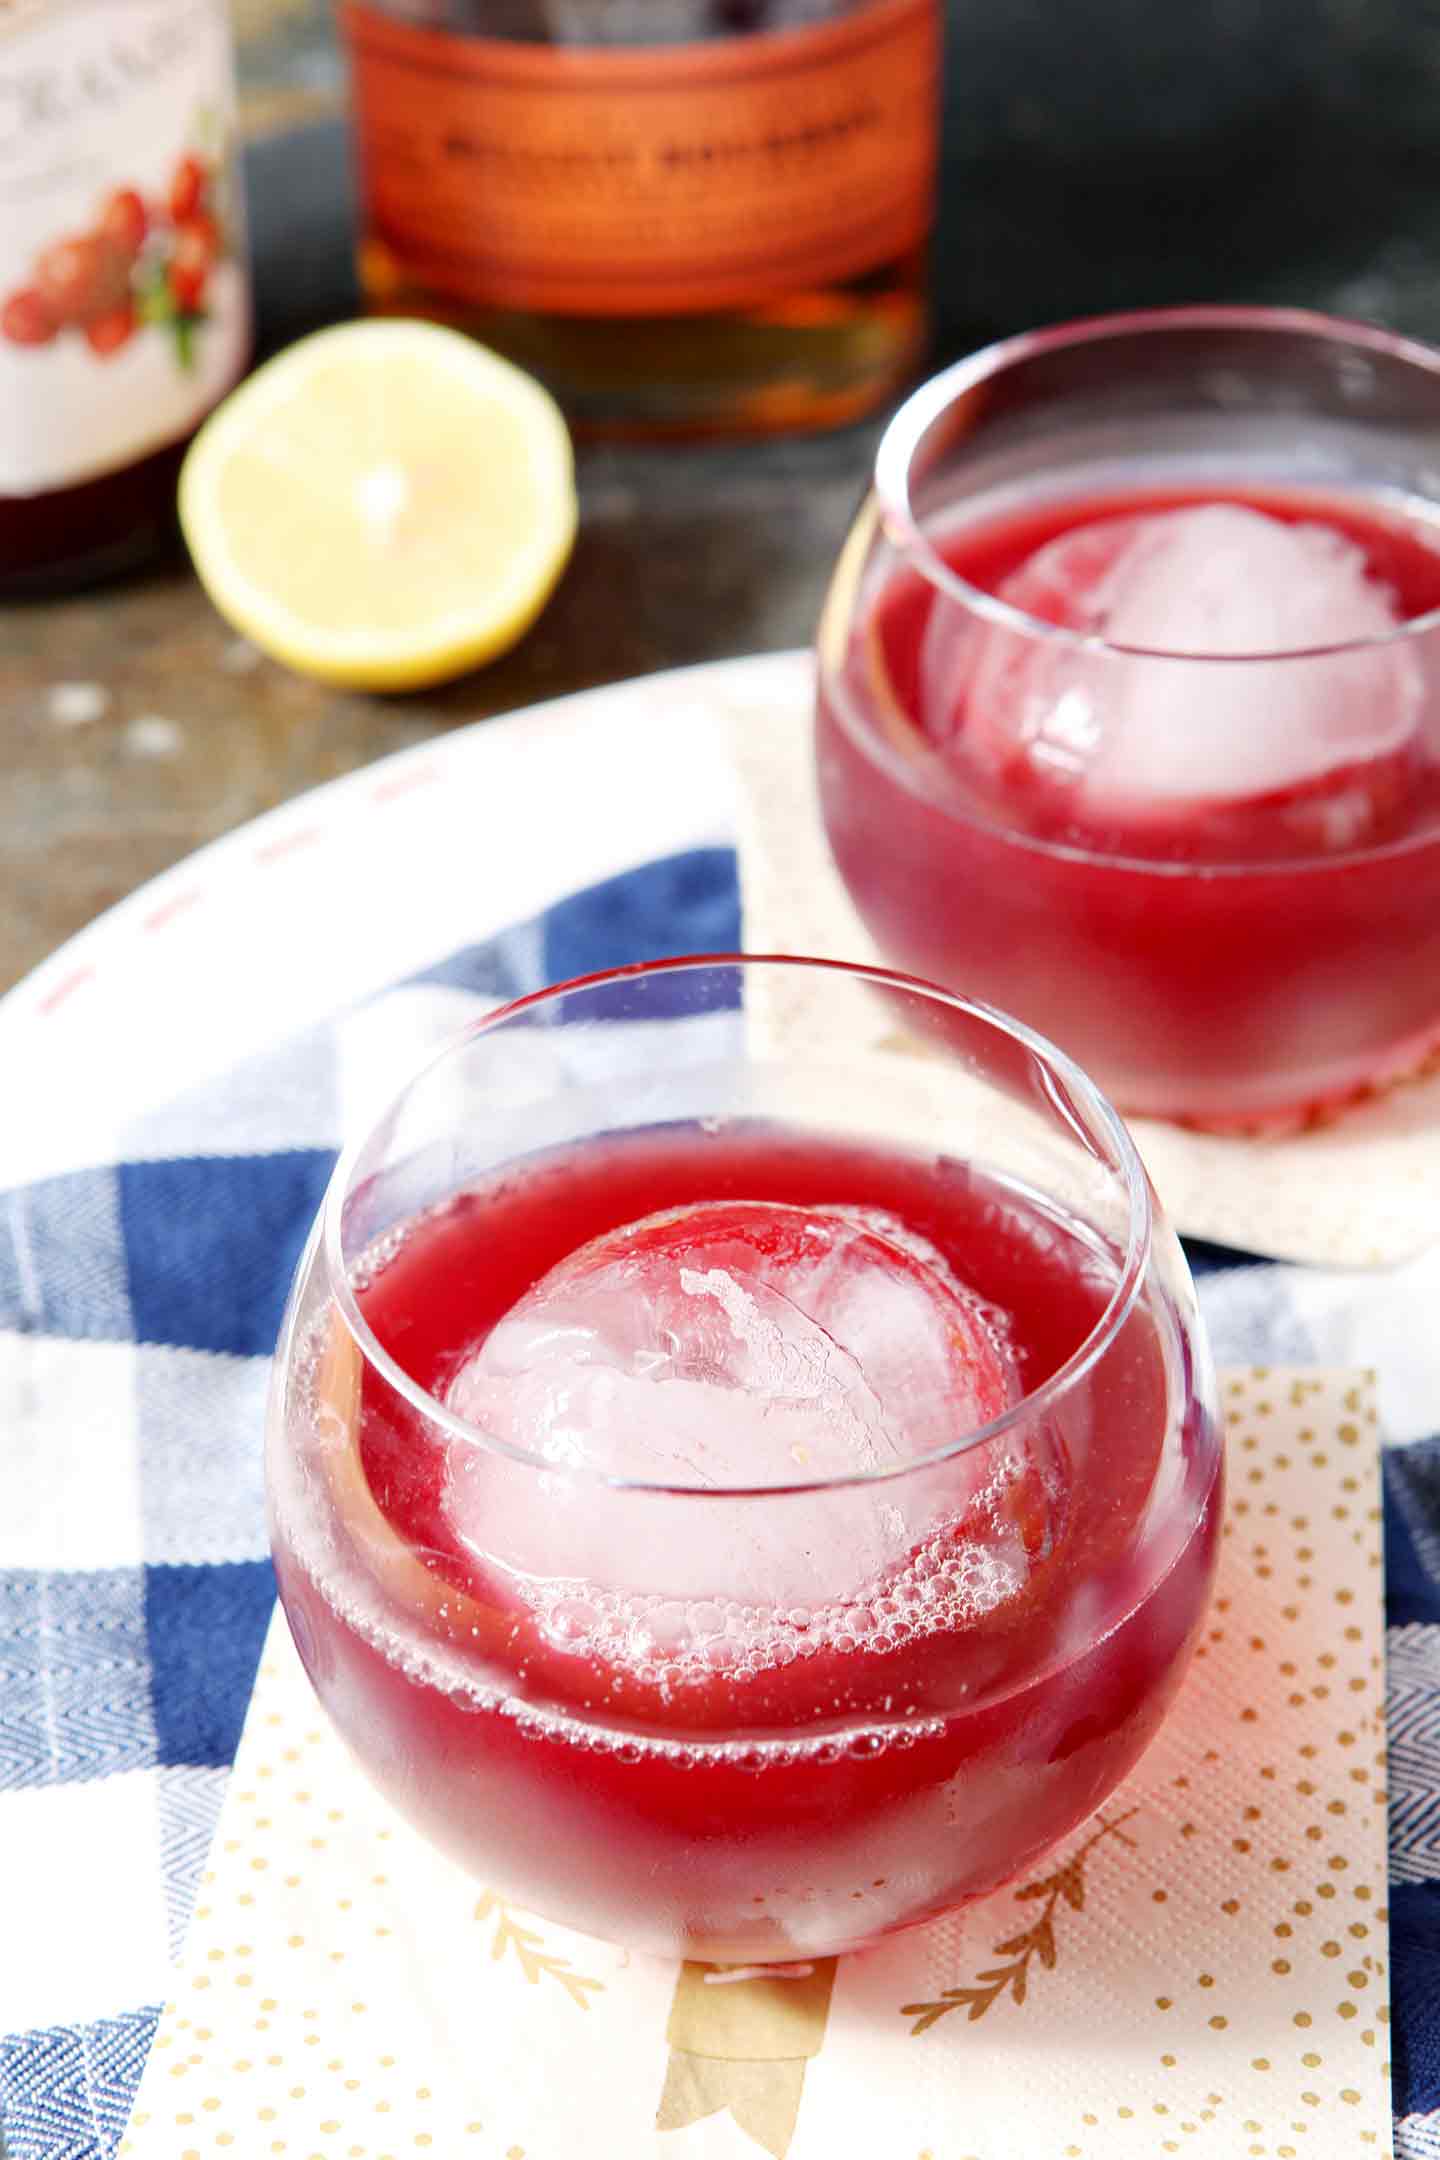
x=139, y=1306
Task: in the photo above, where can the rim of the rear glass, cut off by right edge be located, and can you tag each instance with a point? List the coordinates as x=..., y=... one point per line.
x=925, y=407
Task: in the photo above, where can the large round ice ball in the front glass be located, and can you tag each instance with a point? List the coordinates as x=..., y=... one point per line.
x=733, y=1351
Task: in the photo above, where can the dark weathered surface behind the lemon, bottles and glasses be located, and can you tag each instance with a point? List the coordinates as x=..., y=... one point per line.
x=1098, y=157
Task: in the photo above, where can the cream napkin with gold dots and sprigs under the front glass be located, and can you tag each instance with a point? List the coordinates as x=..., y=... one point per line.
x=1201, y=1969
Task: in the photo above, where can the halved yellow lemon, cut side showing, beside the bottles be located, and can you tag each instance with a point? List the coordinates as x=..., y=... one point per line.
x=383, y=504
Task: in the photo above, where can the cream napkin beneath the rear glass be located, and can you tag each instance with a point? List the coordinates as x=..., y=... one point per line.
x=1355, y=1193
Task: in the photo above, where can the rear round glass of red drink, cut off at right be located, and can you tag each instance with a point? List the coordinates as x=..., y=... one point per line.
x=1271, y=958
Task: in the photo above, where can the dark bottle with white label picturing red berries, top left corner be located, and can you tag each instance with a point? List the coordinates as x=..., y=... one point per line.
x=124, y=284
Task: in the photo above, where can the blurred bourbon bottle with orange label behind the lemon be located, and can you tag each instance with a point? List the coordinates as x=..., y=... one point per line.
x=690, y=217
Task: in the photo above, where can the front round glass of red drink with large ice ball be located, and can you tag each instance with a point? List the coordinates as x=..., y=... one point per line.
x=880, y=1593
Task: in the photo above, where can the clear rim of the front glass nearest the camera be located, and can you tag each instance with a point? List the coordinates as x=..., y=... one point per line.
x=1055, y=1062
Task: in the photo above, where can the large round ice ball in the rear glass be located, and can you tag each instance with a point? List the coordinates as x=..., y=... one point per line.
x=1217, y=710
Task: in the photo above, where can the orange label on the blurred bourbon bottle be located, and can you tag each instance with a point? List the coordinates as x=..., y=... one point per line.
x=649, y=180
